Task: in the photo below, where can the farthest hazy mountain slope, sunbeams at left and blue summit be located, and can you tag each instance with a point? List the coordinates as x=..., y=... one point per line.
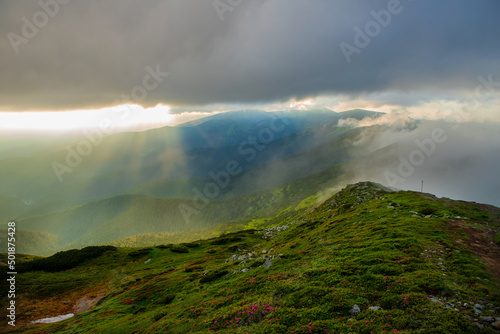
x=56, y=171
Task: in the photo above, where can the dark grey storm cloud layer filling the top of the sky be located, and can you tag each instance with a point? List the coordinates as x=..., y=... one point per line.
x=91, y=52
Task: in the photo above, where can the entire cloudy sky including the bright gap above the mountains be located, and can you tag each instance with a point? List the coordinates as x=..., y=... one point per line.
x=344, y=61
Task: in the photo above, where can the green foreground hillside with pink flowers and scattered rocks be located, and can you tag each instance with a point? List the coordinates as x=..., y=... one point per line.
x=424, y=262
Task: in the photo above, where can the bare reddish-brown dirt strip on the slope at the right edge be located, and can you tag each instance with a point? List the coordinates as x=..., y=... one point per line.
x=481, y=243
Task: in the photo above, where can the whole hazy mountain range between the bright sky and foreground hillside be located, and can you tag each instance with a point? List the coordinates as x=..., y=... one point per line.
x=216, y=174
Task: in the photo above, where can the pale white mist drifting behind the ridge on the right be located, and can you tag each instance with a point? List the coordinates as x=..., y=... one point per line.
x=462, y=164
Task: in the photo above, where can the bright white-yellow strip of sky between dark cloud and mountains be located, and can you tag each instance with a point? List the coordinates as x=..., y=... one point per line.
x=134, y=118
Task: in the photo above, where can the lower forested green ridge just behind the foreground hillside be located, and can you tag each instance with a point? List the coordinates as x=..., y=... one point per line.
x=117, y=218
